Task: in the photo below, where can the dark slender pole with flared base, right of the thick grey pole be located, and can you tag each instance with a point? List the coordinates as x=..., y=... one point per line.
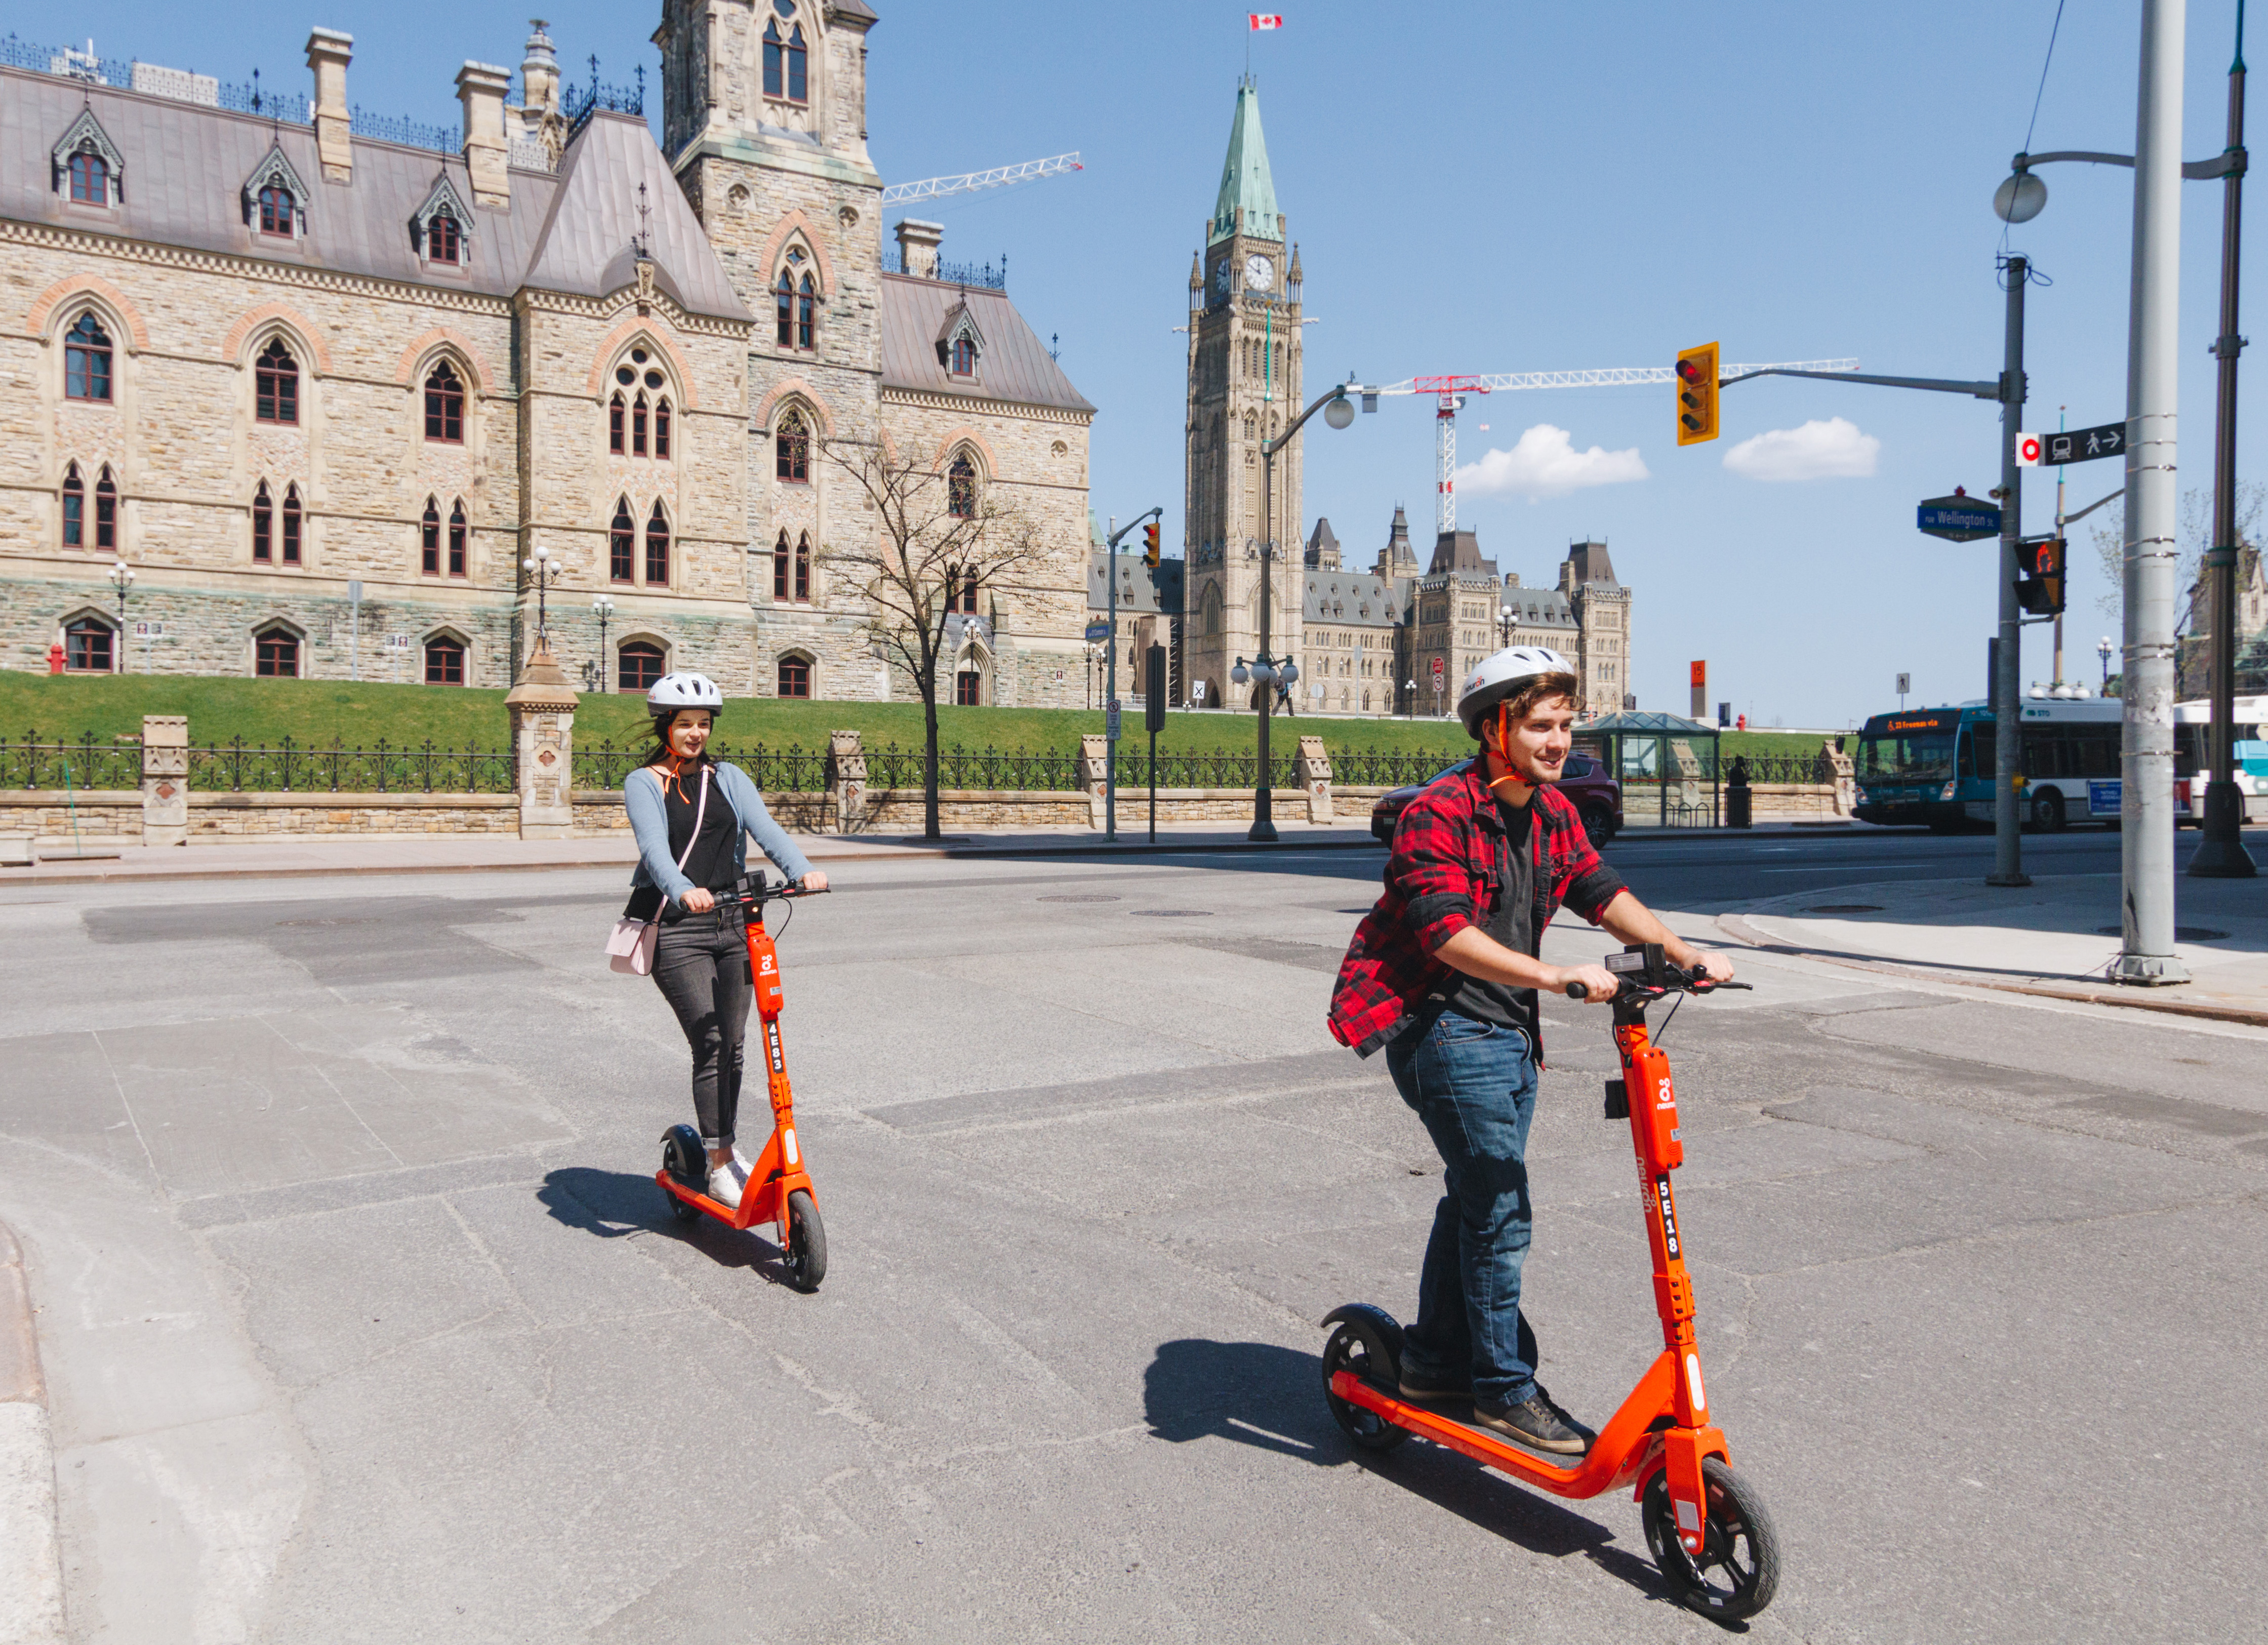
x=2222, y=854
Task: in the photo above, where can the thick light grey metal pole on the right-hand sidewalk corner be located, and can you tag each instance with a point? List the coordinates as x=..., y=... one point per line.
x=2153, y=382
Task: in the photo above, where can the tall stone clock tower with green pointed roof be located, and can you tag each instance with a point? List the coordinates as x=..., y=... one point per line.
x=1244, y=389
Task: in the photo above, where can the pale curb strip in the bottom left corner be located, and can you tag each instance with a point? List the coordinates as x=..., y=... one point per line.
x=31, y=1567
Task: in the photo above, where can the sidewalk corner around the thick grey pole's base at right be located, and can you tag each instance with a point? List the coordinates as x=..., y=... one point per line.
x=2051, y=938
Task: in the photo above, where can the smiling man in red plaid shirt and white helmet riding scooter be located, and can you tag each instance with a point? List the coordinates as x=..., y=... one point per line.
x=1444, y=977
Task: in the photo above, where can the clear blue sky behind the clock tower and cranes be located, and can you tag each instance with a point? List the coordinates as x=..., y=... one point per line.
x=1516, y=187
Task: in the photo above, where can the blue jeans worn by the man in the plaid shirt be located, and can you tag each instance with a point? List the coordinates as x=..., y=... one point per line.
x=1475, y=1090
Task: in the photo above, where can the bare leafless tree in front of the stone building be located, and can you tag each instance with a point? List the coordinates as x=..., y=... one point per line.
x=940, y=546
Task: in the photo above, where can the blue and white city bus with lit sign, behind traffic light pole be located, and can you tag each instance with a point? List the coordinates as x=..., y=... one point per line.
x=1936, y=766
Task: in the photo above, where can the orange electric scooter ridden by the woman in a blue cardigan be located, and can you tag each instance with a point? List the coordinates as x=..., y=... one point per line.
x=779, y=1188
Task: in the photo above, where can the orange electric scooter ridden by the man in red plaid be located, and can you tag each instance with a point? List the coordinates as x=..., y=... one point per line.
x=1707, y=1528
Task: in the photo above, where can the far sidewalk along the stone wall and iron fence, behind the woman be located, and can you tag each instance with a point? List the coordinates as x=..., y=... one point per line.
x=486, y=854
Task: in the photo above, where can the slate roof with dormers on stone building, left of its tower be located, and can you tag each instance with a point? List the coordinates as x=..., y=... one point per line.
x=187, y=164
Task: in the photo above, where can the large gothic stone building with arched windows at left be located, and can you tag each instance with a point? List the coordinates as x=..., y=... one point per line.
x=269, y=360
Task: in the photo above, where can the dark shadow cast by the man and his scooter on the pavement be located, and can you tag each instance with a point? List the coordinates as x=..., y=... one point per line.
x=1271, y=1399
